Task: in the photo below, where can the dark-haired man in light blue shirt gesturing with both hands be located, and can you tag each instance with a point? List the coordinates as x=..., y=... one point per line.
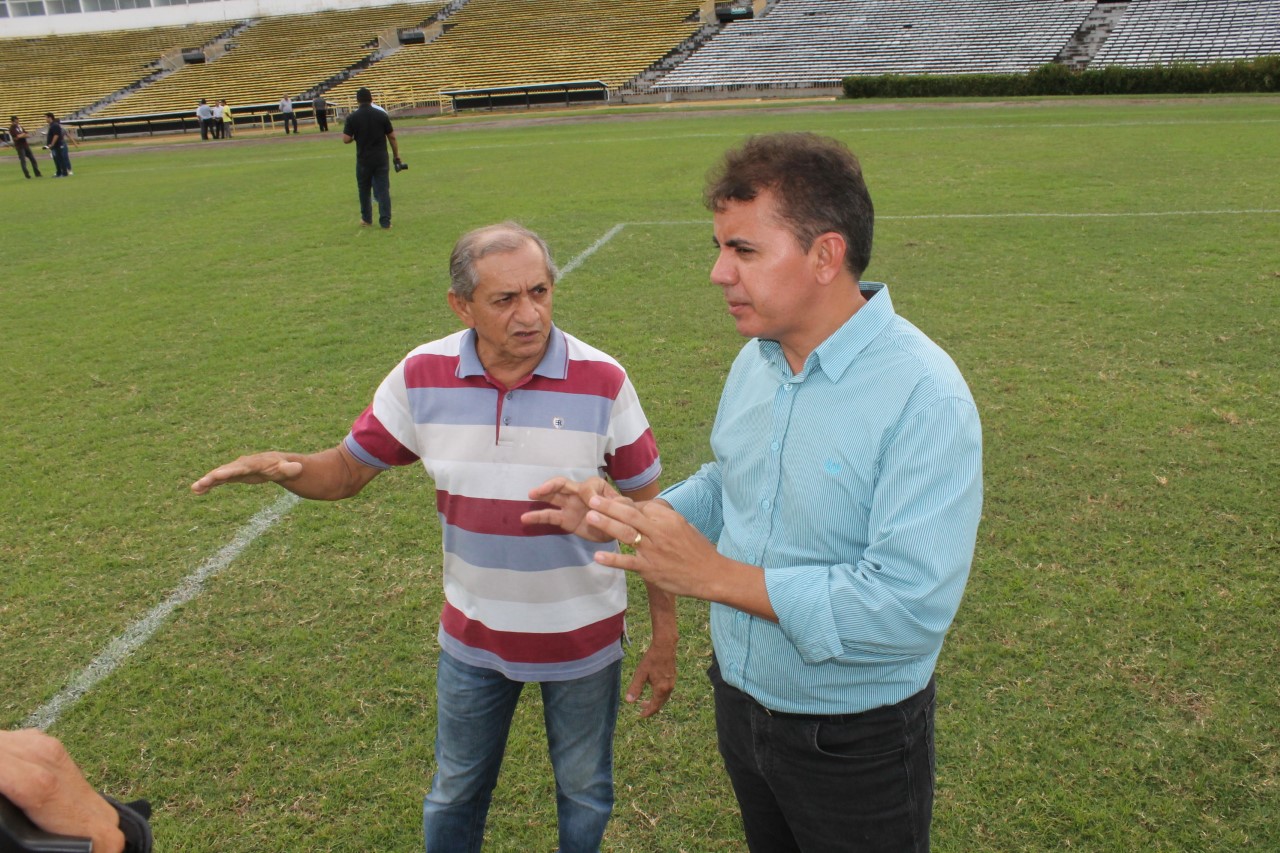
x=835, y=528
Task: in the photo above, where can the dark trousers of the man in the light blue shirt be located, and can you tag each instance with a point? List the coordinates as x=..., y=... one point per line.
x=816, y=784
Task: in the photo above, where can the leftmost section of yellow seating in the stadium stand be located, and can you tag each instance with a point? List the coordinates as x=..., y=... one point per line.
x=66, y=75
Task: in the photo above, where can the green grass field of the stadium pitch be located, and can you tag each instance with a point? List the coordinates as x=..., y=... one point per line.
x=1105, y=273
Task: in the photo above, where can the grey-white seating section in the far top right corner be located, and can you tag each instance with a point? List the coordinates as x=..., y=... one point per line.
x=1162, y=33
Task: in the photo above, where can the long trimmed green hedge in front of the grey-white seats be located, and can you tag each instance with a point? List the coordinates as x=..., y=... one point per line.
x=1242, y=76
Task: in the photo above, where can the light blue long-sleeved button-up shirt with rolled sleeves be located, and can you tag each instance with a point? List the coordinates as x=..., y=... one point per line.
x=857, y=485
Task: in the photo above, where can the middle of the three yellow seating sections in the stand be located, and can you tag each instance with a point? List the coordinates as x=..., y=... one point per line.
x=282, y=56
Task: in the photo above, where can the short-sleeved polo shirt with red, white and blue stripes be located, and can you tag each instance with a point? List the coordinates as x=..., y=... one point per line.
x=527, y=601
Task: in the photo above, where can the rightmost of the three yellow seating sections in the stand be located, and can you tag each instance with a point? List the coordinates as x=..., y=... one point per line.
x=491, y=44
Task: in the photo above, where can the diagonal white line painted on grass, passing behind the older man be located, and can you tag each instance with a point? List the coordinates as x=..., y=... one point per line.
x=112, y=658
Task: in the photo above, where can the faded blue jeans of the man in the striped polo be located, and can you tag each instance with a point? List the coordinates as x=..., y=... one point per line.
x=474, y=711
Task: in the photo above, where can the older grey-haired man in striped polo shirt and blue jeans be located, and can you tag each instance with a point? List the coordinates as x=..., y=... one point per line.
x=492, y=412
